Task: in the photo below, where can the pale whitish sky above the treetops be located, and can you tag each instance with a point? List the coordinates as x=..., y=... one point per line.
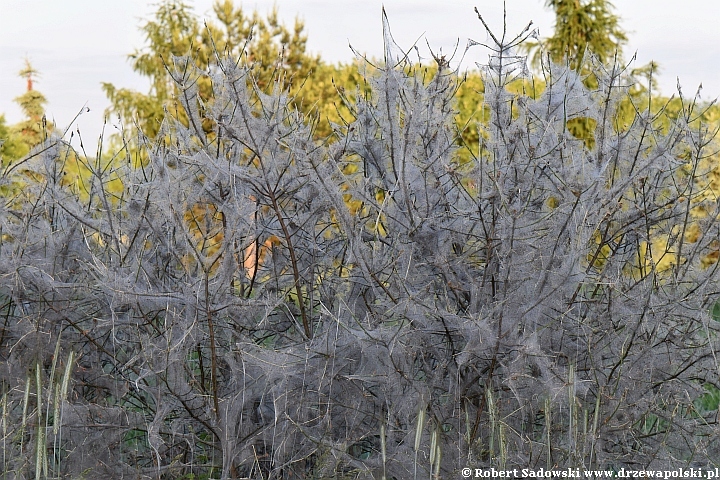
x=77, y=44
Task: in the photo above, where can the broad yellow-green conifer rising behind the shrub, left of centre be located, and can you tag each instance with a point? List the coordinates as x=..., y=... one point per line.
x=273, y=50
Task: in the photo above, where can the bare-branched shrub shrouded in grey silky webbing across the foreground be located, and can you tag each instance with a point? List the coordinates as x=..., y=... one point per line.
x=255, y=304
